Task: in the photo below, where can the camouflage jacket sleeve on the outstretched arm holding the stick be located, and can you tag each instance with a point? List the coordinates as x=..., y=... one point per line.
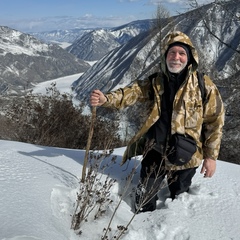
x=127, y=96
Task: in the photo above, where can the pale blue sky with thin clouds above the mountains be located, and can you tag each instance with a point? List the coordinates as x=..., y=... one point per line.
x=30, y=15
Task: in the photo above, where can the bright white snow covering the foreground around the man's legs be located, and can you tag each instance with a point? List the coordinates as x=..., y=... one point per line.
x=39, y=185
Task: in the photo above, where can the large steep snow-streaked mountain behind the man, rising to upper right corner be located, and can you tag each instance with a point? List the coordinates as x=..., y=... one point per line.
x=219, y=57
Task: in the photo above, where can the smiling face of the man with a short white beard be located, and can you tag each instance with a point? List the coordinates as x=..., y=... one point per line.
x=176, y=59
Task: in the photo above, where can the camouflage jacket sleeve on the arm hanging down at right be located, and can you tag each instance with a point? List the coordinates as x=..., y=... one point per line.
x=213, y=121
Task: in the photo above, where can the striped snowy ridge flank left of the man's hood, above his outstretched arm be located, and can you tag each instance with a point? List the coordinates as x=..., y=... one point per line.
x=117, y=67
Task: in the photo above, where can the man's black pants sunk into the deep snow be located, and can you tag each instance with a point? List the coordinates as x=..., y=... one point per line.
x=153, y=169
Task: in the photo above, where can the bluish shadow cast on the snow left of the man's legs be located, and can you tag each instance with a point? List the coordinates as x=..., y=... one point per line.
x=126, y=176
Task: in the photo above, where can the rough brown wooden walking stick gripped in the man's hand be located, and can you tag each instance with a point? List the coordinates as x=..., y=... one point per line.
x=90, y=134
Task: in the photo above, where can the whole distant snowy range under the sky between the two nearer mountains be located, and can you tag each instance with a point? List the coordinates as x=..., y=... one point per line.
x=93, y=44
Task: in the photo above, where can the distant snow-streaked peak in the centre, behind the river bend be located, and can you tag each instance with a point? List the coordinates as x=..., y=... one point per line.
x=94, y=45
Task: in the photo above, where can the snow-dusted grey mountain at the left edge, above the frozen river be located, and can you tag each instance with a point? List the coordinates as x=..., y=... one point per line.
x=26, y=60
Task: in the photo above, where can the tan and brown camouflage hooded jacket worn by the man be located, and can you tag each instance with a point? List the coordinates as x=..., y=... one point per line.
x=190, y=115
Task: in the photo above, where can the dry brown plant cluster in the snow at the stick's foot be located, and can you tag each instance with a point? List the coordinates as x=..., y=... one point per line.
x=93, y=197
